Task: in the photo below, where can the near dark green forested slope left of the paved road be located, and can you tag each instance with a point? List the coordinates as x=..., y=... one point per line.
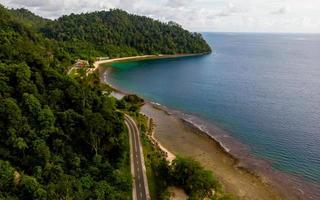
x=60, y=138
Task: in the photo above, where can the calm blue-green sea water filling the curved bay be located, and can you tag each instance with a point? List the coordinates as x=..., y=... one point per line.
x=263, y=88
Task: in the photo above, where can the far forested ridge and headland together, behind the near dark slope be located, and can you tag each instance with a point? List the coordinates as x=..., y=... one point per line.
x=113, y=33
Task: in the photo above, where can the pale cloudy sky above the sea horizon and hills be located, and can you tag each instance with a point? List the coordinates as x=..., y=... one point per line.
x=198, y=15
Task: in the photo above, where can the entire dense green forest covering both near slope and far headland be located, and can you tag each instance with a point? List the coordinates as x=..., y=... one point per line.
x=63, y=137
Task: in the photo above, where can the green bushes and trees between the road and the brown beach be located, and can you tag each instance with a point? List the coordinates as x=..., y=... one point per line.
x=183, y=172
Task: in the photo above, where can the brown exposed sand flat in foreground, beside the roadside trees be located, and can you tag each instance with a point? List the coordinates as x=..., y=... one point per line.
x=180, y=138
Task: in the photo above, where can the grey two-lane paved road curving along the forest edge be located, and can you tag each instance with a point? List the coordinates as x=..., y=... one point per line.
x=138, y=170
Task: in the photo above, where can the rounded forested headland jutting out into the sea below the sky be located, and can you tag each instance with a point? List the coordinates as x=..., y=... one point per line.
x=116, y=33
